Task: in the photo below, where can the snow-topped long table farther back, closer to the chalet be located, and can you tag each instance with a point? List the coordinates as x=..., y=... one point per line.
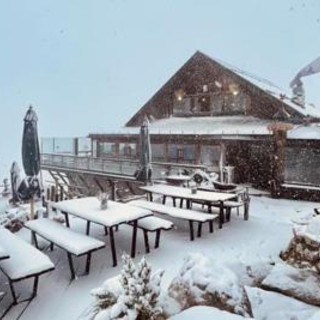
x=207, y=197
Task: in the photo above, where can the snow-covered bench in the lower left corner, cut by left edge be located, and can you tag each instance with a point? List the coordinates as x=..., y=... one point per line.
x=25, y=262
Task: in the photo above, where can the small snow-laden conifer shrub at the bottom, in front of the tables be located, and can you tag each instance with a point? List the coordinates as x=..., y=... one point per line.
x=133, y=295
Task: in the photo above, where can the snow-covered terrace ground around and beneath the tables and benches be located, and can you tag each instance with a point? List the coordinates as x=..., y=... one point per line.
x=267, y=232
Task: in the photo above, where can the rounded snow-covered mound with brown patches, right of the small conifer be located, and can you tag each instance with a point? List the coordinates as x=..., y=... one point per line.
x=203, y=281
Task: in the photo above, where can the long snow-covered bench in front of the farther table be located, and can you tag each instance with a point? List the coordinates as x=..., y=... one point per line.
x=178, y=213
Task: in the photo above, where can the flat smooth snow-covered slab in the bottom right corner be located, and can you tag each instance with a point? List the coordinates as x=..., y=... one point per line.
x=267, y=305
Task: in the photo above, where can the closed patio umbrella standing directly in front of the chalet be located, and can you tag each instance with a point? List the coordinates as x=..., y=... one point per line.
x=145, y=152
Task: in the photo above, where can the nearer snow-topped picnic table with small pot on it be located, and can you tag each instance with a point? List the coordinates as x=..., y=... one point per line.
x=116, y=213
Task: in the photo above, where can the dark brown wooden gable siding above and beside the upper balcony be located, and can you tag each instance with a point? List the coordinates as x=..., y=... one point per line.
x=201, y=70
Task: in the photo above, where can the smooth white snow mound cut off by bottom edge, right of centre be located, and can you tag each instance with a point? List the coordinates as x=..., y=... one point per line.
x=206, y=313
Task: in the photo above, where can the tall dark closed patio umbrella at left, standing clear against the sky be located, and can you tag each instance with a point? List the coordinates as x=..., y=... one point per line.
x=31, y=153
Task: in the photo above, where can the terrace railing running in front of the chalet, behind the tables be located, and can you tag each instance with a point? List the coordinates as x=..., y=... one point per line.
x=110, y=165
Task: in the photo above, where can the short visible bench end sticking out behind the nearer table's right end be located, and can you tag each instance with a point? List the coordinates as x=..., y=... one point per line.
x=153, y=224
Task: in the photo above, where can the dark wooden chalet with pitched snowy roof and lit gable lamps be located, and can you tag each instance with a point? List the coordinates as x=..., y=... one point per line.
x=213, y=115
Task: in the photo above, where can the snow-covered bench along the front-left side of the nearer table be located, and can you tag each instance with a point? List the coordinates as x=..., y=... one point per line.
x=72, y=242
